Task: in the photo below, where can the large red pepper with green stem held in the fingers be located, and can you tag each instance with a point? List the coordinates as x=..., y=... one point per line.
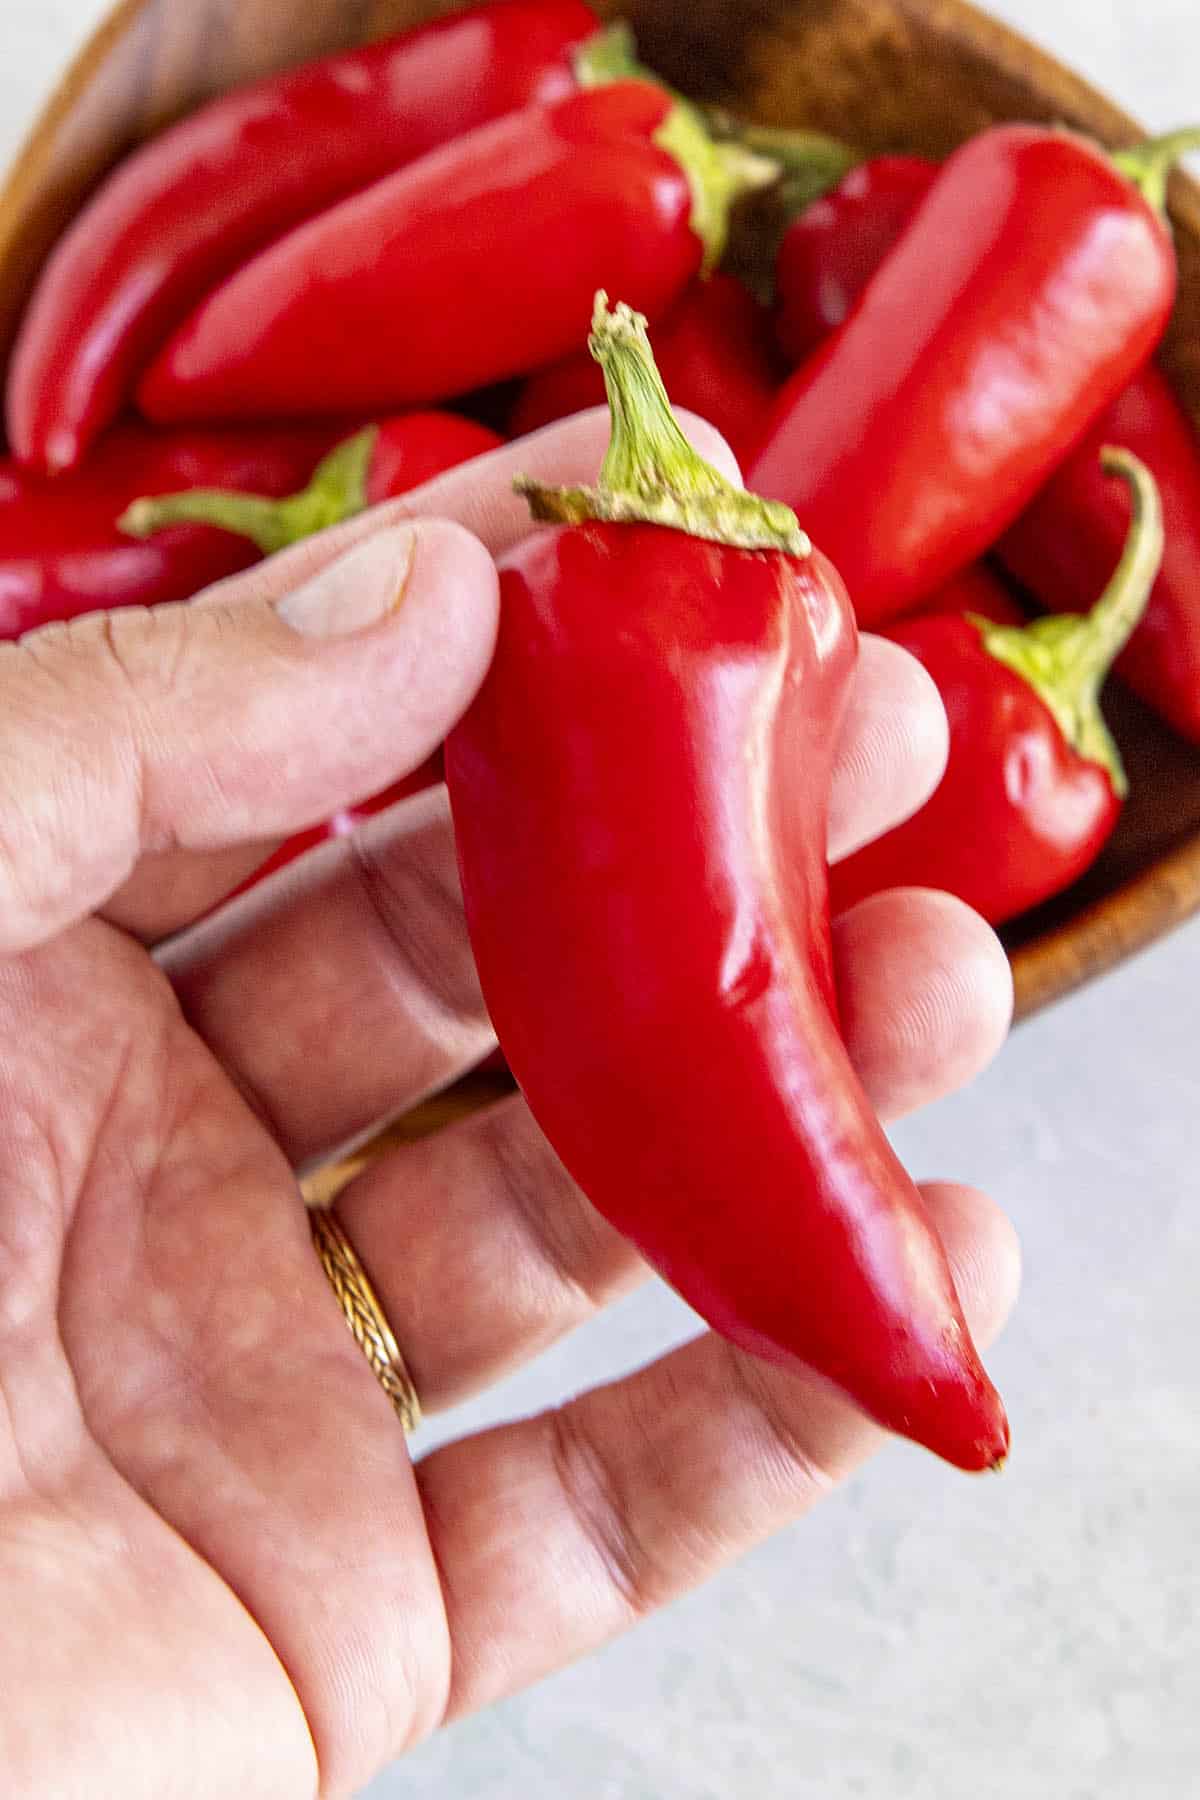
x=645, y=885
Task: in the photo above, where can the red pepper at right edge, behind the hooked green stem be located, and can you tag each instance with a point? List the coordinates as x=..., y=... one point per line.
x=1066, y=544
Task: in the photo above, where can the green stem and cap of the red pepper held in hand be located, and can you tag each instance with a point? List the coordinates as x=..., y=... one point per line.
x=652, y=474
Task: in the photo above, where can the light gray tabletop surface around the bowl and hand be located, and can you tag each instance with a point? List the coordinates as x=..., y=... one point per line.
x=927, y=1637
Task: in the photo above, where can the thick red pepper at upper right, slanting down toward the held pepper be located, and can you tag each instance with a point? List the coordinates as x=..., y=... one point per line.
x=1032, y=283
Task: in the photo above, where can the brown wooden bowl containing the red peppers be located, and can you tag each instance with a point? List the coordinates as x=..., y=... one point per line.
x=888, y=75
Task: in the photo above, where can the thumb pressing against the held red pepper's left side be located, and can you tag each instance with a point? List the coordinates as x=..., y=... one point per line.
x=204, y=726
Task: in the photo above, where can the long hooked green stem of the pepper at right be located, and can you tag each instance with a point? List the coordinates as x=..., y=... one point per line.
x=1066, y=658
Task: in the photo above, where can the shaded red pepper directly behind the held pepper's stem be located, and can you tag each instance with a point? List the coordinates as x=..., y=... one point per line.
x=715, y=357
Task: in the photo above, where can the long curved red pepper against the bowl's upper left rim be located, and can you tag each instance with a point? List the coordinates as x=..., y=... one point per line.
x=197, y=202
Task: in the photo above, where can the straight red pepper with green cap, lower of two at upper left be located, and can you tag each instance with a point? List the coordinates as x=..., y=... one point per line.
x=469, y=267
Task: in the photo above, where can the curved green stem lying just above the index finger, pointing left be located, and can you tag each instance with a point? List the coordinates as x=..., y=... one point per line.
x=337, y=492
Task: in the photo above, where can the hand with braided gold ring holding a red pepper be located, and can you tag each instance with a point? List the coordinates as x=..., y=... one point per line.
x=222, y=1572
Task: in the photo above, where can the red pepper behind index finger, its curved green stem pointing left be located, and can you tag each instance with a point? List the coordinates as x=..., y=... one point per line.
x=375, y=465
